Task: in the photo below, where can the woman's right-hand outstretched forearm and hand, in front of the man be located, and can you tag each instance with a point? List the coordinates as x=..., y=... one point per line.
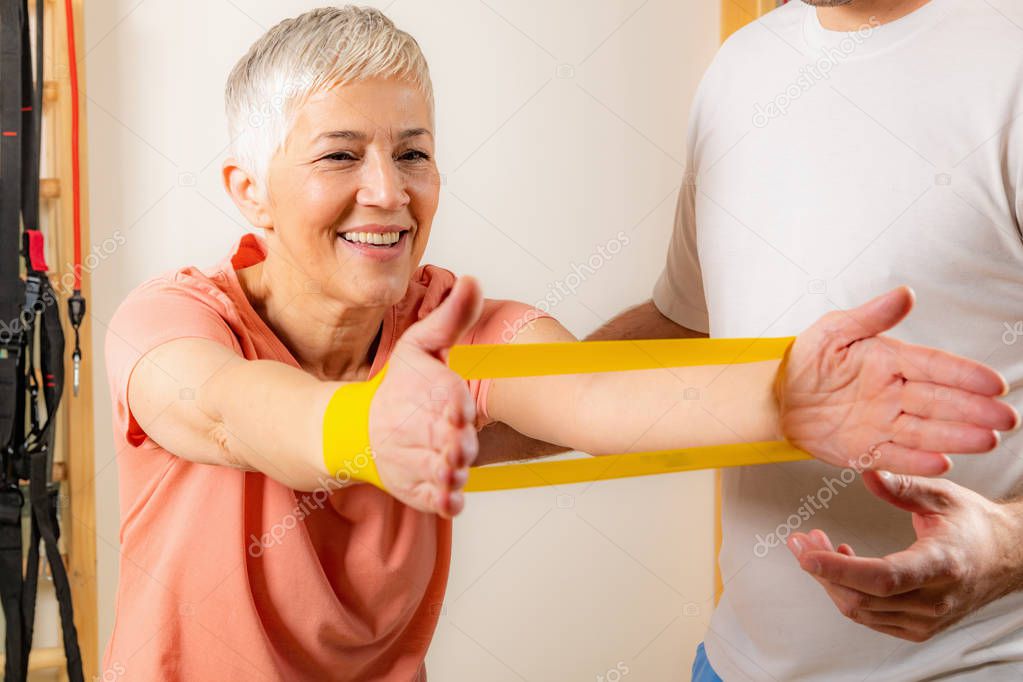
x=848, y=392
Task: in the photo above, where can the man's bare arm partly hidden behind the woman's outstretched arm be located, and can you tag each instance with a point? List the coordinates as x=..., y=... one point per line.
x=500, y=443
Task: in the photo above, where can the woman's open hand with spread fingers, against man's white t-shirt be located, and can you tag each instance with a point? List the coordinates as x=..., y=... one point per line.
x=854, y=398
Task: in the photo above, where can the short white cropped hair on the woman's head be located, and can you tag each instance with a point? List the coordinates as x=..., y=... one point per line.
x=318, y=51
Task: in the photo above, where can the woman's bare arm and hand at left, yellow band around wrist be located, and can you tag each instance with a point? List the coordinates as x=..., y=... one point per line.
x=203, y=402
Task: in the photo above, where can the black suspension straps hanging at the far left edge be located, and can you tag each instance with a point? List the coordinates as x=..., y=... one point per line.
x=28, y=309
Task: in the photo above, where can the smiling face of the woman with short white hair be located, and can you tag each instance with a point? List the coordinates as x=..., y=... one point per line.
x=353, y=192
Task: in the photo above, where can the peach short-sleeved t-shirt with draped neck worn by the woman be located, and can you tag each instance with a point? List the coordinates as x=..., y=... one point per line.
x=229, y=575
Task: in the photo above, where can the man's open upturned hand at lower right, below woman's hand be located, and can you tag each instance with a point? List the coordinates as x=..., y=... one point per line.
x=968, y=554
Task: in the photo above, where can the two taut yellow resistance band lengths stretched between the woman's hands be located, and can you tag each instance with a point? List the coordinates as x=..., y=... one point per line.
x=500, y=361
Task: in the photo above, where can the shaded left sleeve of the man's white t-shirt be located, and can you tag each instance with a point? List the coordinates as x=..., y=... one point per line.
x=679, y=293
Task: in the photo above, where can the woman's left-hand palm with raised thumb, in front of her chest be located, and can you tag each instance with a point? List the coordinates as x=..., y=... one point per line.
x=422, y=421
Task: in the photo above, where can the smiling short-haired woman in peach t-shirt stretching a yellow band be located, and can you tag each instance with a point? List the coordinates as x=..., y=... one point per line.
x=244, y=557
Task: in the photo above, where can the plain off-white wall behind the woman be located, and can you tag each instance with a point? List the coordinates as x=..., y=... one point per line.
x=561, y=123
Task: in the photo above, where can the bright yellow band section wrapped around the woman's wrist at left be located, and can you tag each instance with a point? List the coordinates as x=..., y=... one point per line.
x=346, y=432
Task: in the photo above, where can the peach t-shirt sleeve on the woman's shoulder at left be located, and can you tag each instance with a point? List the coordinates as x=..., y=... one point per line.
x=150, y=317
